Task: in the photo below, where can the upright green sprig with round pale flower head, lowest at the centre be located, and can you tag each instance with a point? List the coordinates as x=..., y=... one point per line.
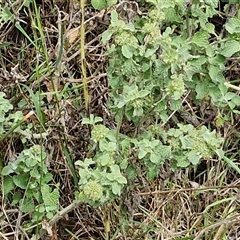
x=101, y=178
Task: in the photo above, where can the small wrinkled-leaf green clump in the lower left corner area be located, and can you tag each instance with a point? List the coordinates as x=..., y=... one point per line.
x=26, y=184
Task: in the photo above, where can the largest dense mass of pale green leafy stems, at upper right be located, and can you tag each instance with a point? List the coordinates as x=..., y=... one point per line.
x=152, y=66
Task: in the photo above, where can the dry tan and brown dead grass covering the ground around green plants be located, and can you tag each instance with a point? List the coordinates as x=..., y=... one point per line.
x=200, y=204
